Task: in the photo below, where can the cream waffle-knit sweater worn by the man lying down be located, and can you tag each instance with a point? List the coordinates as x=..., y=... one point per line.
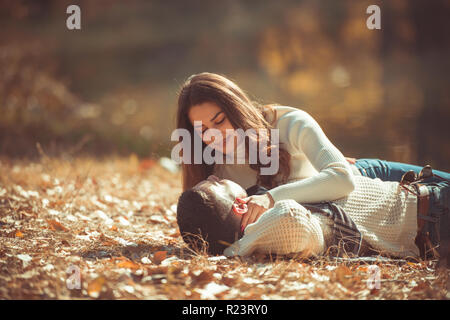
x=385, y=214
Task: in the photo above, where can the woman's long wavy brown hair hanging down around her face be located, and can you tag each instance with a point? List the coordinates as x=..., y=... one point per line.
x=241, y=112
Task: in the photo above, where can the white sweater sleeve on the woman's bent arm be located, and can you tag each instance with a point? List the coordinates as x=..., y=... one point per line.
x=301, y=134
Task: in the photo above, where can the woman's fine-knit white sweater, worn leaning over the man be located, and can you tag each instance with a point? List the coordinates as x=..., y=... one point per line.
x=319, y=171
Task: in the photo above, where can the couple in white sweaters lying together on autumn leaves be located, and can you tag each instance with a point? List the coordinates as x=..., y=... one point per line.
x=317, y=200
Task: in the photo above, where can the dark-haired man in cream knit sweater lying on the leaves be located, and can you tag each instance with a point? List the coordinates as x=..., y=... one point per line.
x=390, y=218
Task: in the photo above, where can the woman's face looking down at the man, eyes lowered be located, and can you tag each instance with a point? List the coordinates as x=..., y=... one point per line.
x=212, y=117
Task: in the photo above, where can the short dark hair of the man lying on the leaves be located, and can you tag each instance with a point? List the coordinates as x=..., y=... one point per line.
x=204, y=225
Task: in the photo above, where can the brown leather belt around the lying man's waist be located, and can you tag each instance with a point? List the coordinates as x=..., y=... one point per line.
x=423, y=242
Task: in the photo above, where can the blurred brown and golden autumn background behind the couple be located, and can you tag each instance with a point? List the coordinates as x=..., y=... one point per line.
x=111, y=87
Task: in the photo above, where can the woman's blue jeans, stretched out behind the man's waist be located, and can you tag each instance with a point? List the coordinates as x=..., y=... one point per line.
x=392, y=171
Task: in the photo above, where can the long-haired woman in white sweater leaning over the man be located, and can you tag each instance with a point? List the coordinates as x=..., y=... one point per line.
x=311, y=168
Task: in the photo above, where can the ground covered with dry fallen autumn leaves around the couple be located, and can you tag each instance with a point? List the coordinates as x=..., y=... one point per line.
x=113, y=223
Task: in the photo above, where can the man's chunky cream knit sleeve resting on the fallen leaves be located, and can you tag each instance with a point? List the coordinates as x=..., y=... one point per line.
x=286, y=228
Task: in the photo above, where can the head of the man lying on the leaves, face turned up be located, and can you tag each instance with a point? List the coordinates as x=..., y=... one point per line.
x=205, y=214
